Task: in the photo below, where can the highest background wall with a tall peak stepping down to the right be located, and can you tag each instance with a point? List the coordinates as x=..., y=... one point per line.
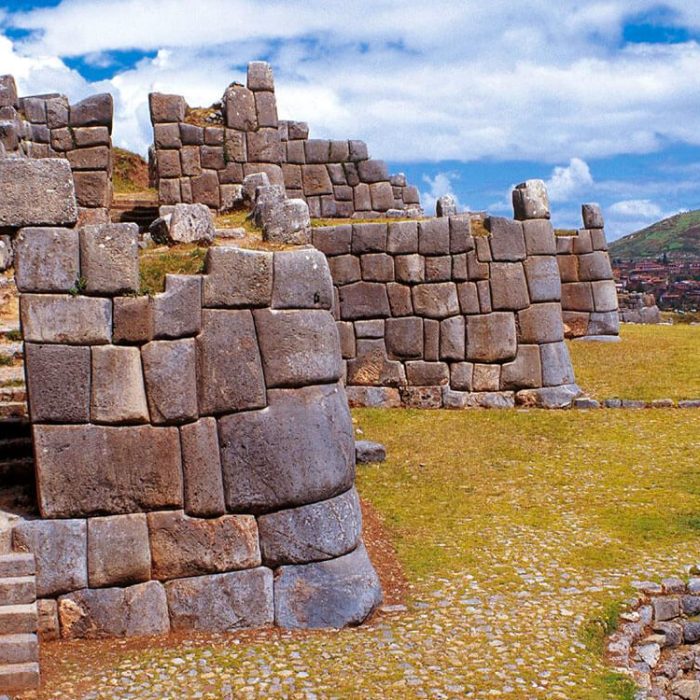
x=203, y=155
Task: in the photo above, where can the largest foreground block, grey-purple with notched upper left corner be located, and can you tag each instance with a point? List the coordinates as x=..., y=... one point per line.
x=299, y=450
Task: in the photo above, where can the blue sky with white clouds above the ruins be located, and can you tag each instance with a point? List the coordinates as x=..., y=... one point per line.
x=600, y=99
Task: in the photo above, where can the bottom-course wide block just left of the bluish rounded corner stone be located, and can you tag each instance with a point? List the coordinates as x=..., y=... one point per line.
x=222, y=602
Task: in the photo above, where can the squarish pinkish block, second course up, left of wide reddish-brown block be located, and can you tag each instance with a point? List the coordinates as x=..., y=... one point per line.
x=118, y=550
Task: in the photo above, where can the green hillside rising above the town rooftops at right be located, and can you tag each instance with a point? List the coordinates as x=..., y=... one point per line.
x=677, y=236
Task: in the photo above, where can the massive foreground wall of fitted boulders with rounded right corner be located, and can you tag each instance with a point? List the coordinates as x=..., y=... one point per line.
x=194, y=450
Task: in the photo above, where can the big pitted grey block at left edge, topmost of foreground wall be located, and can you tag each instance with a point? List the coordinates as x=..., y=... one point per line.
x=36, y=193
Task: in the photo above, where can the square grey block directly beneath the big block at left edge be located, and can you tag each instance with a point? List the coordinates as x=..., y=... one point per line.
x=47, y=259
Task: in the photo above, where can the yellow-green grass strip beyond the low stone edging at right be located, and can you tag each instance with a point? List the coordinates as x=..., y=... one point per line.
x=651, y=362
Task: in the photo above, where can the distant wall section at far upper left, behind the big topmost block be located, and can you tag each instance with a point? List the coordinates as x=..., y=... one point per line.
x=47, y=126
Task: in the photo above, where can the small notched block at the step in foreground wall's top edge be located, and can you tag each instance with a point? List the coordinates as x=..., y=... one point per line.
x=177, y=312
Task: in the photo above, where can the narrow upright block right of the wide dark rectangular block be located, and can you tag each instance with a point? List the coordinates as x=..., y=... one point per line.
x=201, y=468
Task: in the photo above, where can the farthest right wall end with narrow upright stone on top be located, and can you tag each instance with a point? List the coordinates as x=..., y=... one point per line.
x=588, y=293
